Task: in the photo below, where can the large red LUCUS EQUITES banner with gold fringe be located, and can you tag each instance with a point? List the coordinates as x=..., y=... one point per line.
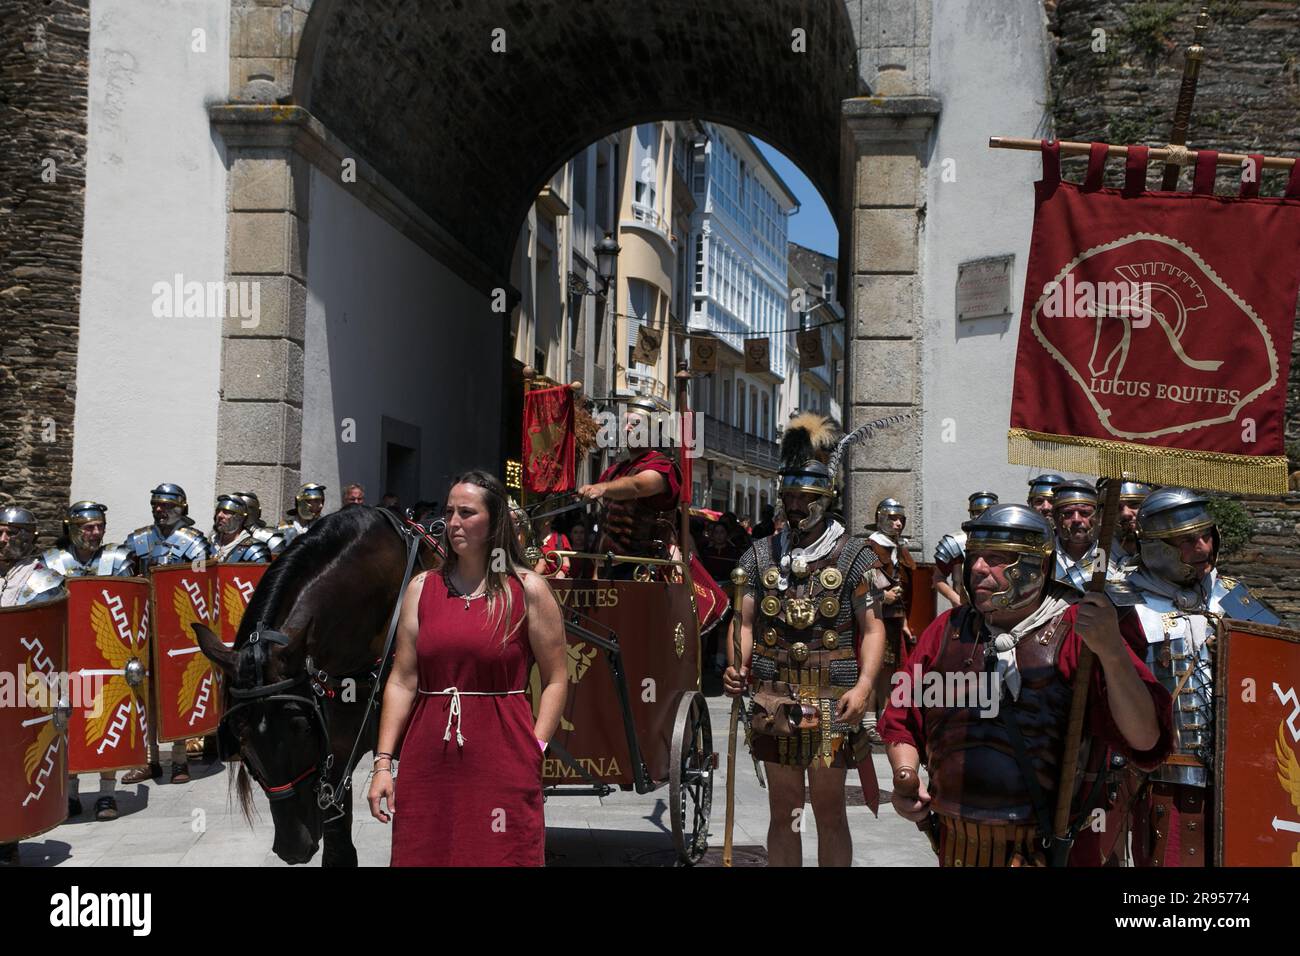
x=1156, y=328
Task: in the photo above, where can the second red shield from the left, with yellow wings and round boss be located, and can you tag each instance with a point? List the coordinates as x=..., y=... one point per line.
x=109, y=629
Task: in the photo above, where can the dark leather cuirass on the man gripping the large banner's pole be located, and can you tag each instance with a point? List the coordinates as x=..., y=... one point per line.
x=973, y=769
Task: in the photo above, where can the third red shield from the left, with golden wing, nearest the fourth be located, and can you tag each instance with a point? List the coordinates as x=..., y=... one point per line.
x=187, y=690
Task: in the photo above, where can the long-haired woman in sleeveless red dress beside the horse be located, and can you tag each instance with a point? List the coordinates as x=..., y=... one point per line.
x=471, y=771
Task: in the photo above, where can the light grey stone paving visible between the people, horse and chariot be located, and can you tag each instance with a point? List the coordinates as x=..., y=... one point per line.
x=198, y=825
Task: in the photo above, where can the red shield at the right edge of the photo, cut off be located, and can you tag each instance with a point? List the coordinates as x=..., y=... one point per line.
x=1258, y=754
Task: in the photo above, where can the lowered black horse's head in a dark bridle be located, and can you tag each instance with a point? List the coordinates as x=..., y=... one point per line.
x=276, y=725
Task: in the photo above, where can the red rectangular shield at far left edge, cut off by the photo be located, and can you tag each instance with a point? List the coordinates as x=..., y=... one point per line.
x=33, y=750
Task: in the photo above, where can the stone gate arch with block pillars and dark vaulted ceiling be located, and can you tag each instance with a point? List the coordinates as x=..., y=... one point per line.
x=453, y=137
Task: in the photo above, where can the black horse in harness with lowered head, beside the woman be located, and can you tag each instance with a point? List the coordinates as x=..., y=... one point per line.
x=302, y=671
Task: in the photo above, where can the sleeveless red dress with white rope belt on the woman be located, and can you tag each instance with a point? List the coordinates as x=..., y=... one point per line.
x=478, y=803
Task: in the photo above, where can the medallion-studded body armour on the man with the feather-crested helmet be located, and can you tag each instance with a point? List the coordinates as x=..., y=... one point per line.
x=807, y=657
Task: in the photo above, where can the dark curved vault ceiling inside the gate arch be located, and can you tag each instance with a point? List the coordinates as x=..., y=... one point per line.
x=471, y=135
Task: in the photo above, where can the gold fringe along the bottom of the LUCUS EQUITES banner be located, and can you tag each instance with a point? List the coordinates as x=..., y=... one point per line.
x=1206, y=471
